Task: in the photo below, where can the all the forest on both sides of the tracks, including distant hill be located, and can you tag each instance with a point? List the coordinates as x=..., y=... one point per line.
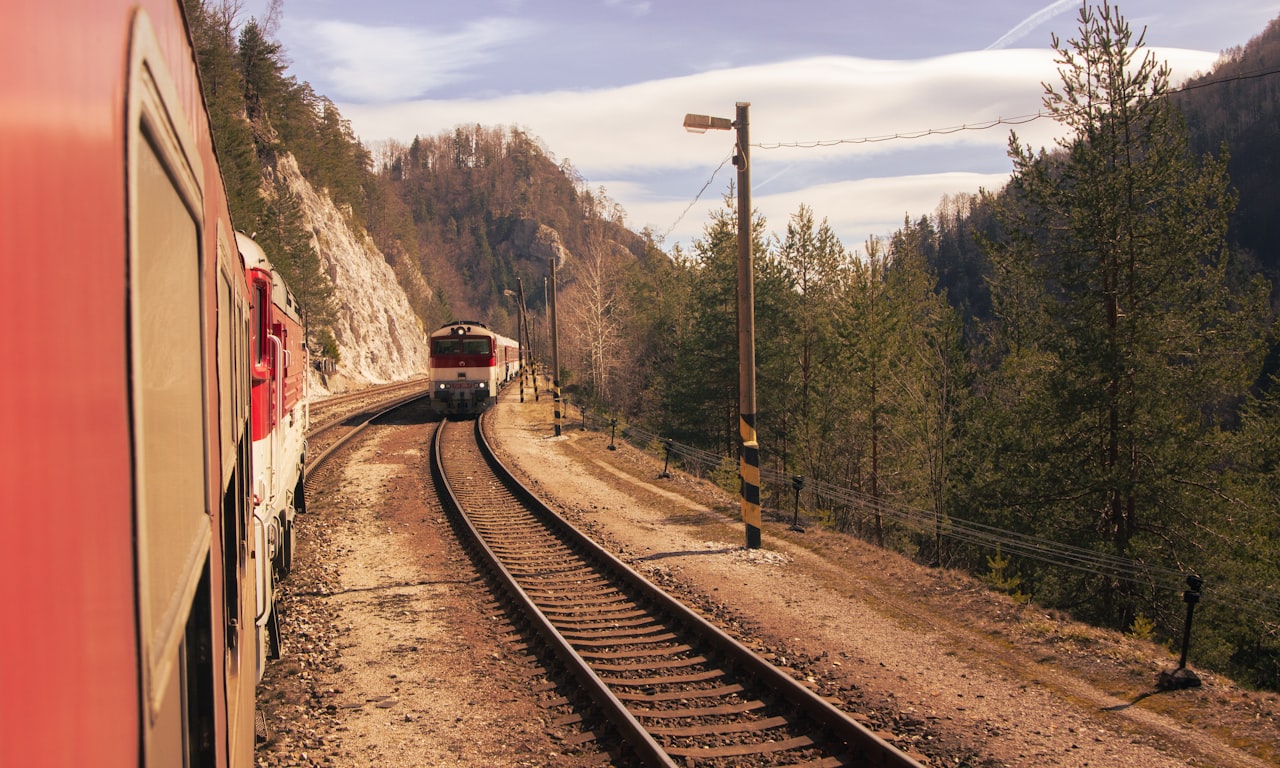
x=1066, y=386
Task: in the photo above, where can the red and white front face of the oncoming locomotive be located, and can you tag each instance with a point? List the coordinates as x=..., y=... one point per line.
x=463, y=372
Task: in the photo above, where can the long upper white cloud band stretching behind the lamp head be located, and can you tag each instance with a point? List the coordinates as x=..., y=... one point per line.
x=639, y=126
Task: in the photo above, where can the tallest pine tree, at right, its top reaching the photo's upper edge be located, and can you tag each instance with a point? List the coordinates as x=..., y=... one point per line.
x=1121, y=321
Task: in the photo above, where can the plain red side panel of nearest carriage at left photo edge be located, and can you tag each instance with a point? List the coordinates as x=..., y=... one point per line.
x=83, y=583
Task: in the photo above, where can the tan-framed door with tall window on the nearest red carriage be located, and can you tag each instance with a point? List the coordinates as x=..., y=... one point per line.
x=170, y=408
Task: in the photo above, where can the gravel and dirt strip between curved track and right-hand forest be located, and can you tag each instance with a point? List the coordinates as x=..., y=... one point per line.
x=932, y=651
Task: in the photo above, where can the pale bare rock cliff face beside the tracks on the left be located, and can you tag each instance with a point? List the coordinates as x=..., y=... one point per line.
x=380, y=336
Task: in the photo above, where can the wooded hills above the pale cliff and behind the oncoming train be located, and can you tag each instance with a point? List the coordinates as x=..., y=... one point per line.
x=458, y=217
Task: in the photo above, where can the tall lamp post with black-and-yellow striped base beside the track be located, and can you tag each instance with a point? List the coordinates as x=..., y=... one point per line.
x=749, y=456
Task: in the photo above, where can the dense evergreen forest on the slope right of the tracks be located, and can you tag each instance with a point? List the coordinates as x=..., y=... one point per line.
x=1072, y=369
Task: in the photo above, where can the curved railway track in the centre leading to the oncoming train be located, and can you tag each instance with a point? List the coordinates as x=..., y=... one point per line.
x=679, y=691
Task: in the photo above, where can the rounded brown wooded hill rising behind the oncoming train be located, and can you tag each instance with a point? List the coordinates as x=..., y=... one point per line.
x=479, y=208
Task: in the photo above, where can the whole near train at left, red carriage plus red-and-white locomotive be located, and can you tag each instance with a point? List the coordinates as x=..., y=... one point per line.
x=148, y=383
